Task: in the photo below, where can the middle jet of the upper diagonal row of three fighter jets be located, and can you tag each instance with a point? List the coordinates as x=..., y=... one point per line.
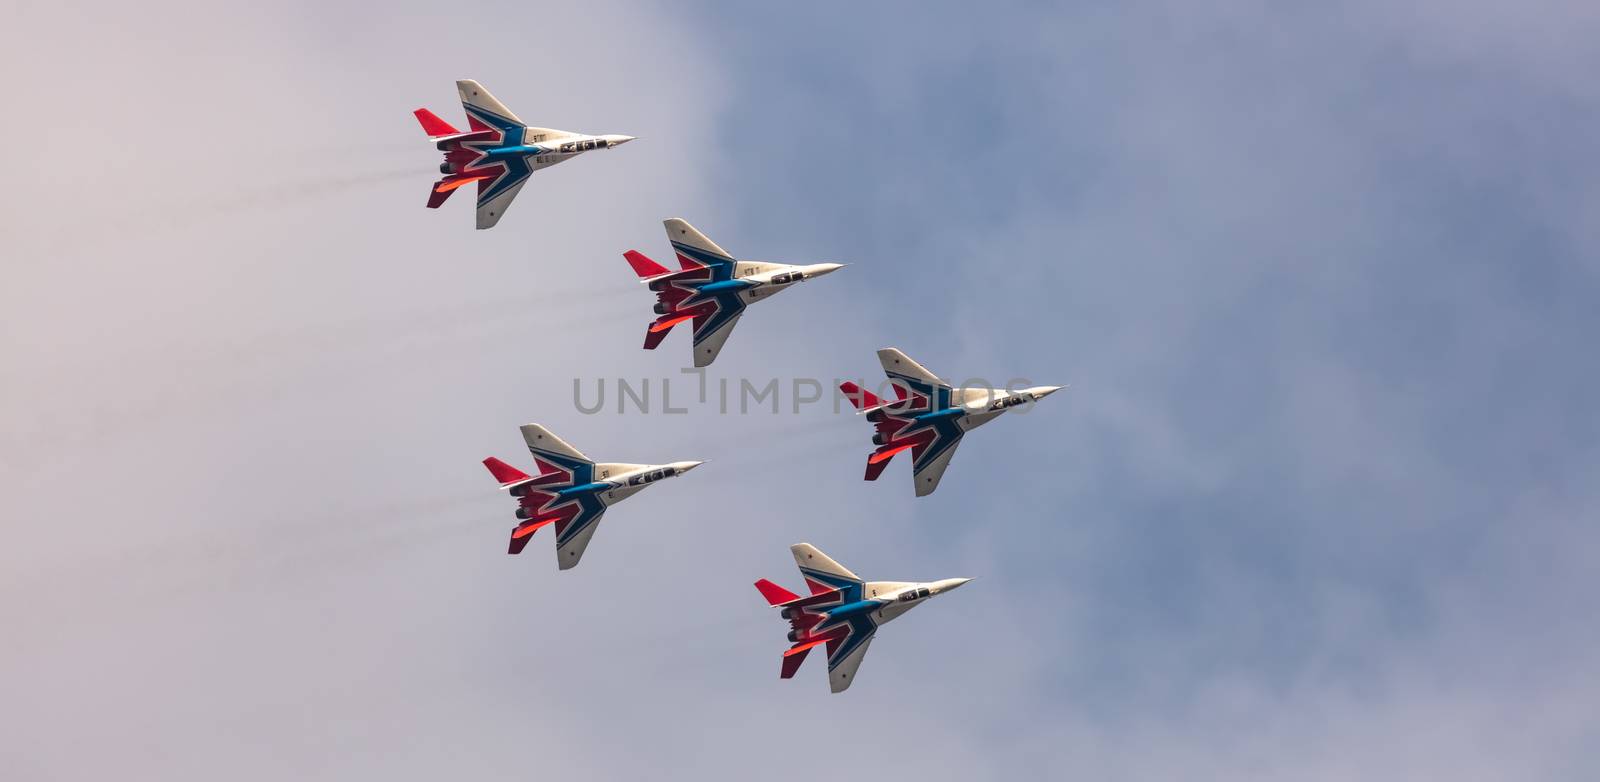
x=711, y=289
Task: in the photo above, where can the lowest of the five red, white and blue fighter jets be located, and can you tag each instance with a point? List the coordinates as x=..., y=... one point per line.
x=841, y=612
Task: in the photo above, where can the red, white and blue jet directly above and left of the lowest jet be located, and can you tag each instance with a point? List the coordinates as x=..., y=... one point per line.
x=570, y=492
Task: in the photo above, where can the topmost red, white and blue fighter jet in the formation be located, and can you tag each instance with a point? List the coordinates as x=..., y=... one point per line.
x=498, y=151
